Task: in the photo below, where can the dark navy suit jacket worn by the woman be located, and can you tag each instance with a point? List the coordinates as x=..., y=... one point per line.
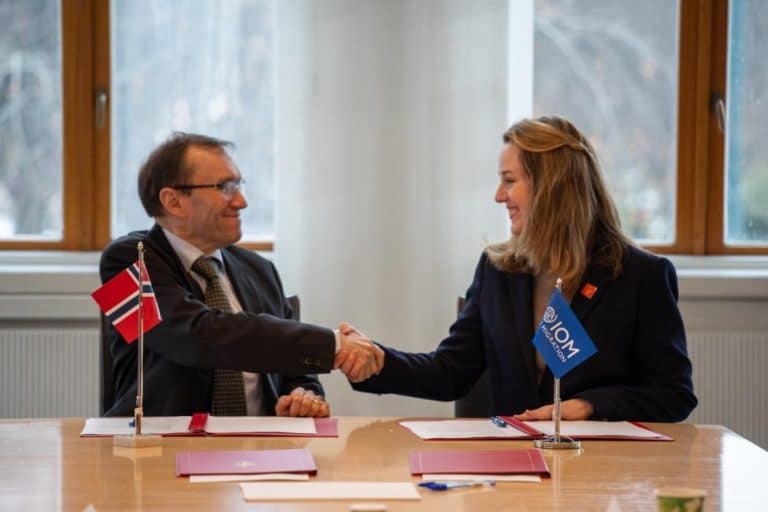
x=640, y=372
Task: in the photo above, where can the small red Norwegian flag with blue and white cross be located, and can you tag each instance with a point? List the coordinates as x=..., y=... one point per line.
x=118, y=299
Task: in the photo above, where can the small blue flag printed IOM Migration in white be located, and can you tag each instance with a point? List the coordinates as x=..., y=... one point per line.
x=560, y=338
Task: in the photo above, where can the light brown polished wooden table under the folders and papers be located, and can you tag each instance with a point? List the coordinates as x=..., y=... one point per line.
x=45, y=465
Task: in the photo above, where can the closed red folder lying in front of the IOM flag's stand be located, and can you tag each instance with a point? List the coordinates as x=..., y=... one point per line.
x=514, y=462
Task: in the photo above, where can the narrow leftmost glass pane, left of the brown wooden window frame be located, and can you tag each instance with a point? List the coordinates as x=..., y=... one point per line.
x=31, y=141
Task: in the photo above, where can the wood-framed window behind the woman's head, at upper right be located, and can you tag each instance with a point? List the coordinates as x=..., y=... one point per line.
x=646, y=82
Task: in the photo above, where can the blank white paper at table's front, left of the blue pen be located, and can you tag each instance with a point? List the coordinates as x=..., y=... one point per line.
x=269, y=491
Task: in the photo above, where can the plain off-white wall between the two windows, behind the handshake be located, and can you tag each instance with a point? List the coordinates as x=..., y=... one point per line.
x=390, y=117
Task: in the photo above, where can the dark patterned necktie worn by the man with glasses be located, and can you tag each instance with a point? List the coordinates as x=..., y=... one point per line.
x=228, y=398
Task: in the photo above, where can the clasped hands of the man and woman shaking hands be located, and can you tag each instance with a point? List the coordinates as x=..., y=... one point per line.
x=358, y=357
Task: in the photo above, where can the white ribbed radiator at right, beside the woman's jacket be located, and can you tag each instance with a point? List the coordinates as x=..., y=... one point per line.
x=730, y=374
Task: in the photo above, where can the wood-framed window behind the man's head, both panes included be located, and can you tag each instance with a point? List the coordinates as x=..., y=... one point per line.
x=86, y=92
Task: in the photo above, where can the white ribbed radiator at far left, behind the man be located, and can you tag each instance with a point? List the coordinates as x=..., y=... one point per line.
x=49, y=372
